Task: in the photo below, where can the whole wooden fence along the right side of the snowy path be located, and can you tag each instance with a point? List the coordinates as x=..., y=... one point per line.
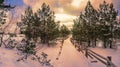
x=89, y=53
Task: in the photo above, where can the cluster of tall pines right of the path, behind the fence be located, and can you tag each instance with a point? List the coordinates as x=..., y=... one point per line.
x=95, y=24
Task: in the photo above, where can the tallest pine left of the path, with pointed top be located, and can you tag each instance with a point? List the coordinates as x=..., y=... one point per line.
x=49, y=28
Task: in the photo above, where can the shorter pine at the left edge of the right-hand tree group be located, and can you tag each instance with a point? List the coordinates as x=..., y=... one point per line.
x=79, y=30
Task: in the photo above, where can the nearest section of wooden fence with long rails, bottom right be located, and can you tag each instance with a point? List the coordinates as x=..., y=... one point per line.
x=107, y=61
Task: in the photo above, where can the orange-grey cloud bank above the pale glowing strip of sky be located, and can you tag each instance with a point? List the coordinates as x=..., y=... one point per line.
x=68, y=6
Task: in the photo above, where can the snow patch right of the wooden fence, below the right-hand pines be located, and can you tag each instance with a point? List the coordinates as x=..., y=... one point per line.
x=115, y=54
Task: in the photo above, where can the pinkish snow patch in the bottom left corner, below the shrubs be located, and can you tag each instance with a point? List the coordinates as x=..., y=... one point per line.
x=8, y=59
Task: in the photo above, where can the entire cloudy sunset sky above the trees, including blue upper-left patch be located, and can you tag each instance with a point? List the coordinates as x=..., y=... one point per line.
x=65, y=10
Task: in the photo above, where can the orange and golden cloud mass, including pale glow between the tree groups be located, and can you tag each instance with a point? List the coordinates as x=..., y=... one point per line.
x=66, y=10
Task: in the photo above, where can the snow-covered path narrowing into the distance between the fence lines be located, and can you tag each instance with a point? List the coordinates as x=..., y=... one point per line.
x=70, y=57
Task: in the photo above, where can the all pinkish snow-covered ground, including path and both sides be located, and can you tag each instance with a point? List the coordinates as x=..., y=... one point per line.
x=69, y=57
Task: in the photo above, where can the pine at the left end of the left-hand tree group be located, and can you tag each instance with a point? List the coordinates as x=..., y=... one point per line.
x=27, y=21
